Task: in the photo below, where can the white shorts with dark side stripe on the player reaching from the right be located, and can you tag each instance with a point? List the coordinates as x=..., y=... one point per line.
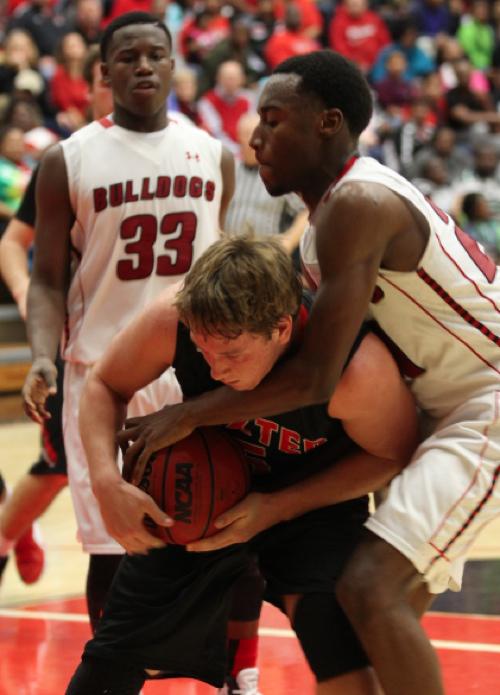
x=436, y=507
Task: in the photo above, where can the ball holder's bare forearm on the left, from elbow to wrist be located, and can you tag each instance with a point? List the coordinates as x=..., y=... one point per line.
x=101, y=415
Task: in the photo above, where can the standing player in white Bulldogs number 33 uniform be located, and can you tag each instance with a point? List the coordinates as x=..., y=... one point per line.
x=124, y=207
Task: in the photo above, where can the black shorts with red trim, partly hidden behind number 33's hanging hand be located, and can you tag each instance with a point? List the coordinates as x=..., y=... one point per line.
x=52, y=458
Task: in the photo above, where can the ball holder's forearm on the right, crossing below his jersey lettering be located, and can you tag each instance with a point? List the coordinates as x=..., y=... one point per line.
x=353, y=476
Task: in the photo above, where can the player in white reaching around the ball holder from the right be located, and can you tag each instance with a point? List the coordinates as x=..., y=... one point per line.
x=377, y=246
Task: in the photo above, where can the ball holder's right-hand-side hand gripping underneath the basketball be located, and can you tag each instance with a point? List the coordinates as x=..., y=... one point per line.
x=255, y=513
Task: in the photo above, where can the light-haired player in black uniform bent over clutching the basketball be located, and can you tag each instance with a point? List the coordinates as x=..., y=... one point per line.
x=167, y=611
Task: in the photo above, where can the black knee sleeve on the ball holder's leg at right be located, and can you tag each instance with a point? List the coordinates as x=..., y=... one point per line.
x=328, y=640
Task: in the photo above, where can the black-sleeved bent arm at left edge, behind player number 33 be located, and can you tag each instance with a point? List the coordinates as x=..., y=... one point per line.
x=14, y=246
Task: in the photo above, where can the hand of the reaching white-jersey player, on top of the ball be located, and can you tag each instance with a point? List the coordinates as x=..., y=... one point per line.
x=142, y=436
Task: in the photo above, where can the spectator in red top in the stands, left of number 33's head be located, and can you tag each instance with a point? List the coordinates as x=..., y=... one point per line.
x=69, y=89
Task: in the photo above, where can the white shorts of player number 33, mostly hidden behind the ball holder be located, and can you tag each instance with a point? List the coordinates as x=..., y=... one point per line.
x=91, y=530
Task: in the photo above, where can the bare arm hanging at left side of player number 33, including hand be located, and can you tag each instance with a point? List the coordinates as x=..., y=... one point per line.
x=49, y=280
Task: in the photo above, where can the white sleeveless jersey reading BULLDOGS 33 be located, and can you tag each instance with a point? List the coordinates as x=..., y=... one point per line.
x=146, y=207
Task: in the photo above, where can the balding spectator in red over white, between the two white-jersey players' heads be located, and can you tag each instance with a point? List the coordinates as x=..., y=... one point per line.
x=222, y=107
